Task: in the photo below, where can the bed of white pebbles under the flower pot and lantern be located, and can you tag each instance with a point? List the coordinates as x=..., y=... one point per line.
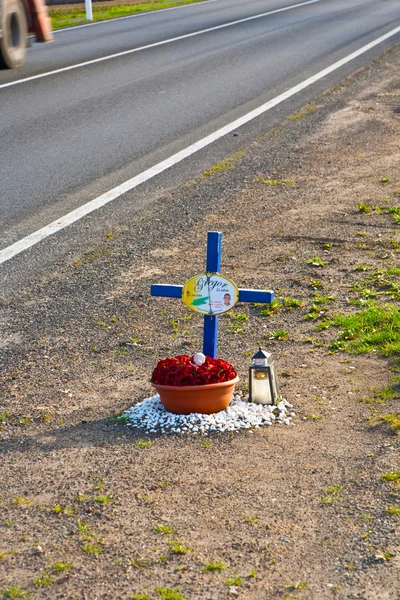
x=151, y=417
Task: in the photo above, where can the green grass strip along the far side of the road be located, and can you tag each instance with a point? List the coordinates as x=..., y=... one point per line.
x=68, y=17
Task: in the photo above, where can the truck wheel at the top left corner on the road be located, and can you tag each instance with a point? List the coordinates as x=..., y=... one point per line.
x=14, y=29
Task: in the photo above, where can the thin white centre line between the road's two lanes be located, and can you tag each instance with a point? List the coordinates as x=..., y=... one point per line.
x=155, y=45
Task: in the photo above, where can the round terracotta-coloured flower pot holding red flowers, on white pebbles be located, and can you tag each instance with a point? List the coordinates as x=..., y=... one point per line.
x=205, y=399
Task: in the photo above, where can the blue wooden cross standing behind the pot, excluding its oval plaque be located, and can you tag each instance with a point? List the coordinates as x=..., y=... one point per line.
x=213, y=265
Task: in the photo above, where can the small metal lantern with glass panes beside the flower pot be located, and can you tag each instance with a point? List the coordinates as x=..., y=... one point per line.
x=263, y=382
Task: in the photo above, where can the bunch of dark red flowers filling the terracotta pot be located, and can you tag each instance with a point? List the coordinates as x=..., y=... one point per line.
x=182, y=371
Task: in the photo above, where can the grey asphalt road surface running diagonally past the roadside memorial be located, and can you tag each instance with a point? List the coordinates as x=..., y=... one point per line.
x=70, y=136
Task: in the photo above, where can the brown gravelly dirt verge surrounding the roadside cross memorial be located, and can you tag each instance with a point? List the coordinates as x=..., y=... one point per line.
x=89, y=508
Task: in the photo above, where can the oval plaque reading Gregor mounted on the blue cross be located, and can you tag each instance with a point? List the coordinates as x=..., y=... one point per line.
x=210, y=294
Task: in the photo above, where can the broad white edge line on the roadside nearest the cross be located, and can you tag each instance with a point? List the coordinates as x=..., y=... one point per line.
x=89, y=207
